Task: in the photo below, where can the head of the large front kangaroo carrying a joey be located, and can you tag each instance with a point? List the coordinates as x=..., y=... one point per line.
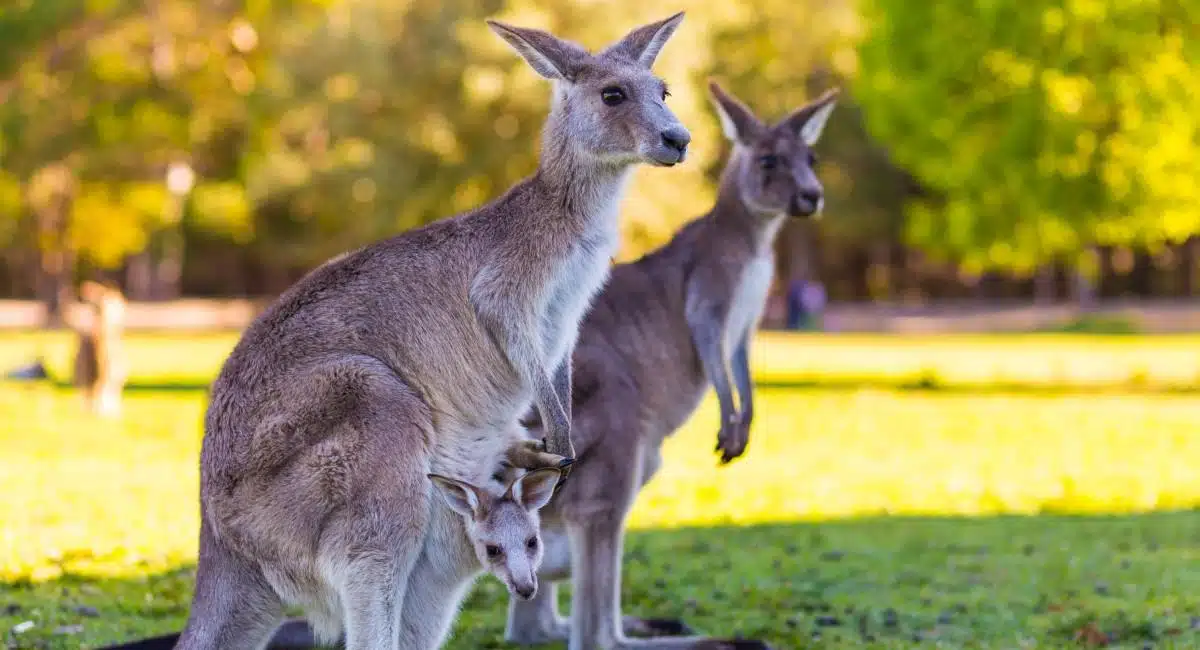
x=608, y=107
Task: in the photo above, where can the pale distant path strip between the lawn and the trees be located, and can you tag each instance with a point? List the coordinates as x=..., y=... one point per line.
x=1148, y=316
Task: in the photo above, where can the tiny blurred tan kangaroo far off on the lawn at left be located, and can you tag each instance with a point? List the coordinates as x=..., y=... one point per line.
x=100, y=364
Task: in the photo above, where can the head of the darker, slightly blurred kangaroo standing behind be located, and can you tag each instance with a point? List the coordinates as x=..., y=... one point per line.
x=773, y=168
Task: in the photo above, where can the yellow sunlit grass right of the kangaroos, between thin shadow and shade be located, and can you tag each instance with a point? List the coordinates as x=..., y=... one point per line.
x=818, y=455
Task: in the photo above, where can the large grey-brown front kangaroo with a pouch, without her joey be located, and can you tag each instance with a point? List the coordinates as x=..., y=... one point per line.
x=416, y=356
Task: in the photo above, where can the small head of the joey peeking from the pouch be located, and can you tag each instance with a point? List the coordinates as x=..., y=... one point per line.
x=505, y=531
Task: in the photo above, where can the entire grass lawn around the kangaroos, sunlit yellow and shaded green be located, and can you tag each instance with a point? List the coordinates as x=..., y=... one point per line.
x=789, y=544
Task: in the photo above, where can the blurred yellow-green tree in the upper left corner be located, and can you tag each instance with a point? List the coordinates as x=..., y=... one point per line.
x=109, y=97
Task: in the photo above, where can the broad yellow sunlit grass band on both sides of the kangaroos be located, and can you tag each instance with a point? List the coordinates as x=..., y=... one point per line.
x=92, y=497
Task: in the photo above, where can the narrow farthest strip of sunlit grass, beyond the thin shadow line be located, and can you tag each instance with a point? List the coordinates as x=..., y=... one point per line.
x=976, y=362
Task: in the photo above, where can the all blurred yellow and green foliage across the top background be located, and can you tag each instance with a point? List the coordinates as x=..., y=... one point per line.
x=316, y=127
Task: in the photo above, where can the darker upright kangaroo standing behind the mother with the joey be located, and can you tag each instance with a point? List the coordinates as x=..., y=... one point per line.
x=665, y=328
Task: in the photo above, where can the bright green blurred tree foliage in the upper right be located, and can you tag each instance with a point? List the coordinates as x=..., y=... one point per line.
x=1041, y=128
